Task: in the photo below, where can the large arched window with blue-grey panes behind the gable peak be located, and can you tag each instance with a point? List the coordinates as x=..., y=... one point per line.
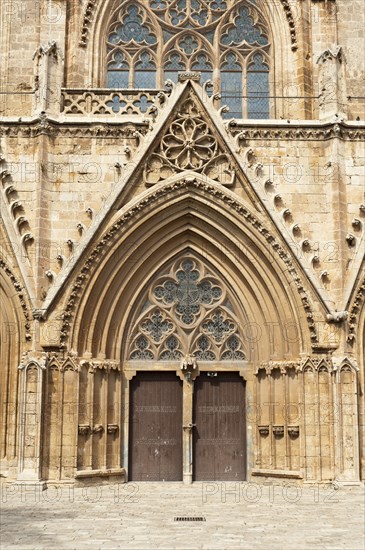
x=226, y=41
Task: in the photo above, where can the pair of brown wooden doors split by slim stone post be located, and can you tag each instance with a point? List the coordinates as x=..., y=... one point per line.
x=156, y=427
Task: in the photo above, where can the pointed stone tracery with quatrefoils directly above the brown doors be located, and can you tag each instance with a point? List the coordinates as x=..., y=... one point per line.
x=186, y=309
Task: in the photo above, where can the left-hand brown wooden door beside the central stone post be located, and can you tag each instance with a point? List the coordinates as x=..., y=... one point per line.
x=155, y=449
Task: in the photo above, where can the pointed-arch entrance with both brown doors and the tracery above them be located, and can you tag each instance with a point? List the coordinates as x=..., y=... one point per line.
x=186, y=322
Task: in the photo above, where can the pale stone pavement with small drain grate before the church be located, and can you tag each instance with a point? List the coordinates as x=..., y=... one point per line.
x=265, y=515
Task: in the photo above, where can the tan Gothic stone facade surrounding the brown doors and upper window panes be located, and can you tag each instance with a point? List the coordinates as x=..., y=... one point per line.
x=105, y=192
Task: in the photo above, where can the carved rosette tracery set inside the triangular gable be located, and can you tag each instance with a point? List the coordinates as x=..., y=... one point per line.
x=189, y=144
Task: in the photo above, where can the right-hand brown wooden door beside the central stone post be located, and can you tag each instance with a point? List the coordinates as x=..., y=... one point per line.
x=219, y=435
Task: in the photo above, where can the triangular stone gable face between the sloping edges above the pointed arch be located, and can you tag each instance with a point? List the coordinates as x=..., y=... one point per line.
x=188, y=136
